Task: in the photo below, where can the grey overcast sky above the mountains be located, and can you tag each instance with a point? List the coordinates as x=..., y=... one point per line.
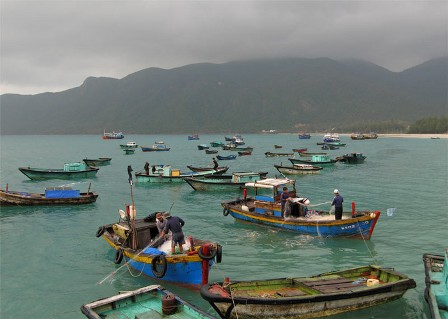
x=50, y=46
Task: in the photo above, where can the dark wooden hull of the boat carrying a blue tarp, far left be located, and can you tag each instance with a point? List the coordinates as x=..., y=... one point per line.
x=29, y=199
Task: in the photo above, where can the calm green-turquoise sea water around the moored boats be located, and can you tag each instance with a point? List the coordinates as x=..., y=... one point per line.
x=51, y=262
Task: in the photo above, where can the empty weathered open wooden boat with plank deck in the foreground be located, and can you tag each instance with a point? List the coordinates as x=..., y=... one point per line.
x=307, y=297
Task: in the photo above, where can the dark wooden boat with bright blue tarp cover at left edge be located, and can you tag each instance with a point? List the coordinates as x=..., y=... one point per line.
x=51, y=196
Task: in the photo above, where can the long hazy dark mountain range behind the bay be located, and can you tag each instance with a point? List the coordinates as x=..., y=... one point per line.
x=288, y=95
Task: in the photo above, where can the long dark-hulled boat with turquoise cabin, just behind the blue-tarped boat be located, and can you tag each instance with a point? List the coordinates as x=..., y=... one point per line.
x=69, y=171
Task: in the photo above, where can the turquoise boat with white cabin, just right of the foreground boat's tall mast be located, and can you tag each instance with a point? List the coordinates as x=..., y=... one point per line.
x=167, y=174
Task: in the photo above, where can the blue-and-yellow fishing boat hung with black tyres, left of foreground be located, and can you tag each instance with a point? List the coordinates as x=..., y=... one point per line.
x=137, y=242
